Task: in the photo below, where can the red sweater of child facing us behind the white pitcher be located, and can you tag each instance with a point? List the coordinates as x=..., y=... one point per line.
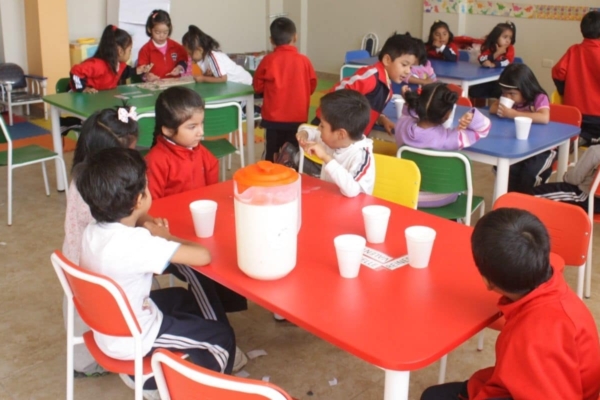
x=174, y=169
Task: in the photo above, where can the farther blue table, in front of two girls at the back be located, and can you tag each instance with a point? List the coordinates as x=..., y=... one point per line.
x=462, y=73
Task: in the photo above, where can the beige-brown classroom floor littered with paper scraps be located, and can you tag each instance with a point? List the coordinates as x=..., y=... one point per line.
x=33, y=345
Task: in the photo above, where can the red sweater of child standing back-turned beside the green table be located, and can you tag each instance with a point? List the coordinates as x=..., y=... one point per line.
x=287, y=79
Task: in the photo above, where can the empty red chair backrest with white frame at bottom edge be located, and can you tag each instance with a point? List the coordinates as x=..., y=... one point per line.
x=177, y=379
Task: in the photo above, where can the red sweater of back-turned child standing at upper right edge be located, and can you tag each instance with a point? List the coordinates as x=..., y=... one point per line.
x=577, y=73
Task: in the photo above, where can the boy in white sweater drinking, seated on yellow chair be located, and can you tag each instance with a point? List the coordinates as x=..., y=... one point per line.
x=340, y=142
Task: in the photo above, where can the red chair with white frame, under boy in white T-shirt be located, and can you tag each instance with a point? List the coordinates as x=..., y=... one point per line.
x=104, y=307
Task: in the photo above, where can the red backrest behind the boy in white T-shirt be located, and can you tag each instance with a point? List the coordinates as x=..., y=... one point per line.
x=99, y=300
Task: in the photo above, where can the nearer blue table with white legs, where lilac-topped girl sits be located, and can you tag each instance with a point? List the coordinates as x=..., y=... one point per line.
x=502, y=149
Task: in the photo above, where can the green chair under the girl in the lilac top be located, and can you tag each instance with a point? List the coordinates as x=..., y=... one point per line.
x=446, y=172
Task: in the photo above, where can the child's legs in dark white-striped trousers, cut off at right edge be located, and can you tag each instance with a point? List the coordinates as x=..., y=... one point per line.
x=575, y=188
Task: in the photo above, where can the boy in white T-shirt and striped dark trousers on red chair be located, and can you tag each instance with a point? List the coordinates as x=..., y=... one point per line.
x=113, y=183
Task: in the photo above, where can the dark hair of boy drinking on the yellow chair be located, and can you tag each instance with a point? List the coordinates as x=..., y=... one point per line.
x=346, y=109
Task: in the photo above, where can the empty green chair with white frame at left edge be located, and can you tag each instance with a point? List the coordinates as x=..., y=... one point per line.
x=23, y=156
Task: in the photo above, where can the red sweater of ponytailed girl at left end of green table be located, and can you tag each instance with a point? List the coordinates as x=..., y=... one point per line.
x=96, y=73
